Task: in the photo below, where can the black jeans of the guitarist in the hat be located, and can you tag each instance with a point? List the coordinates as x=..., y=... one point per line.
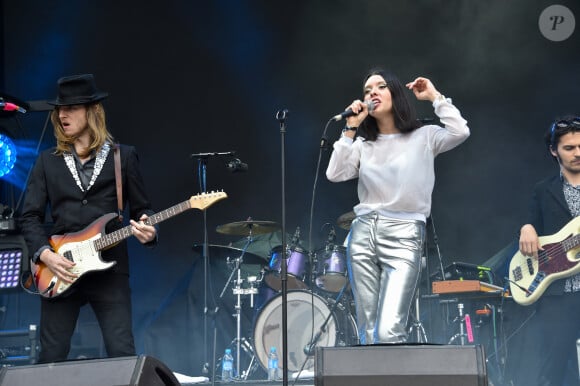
x=109, y=295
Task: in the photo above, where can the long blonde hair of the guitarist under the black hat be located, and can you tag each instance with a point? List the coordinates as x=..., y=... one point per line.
x=97, y=126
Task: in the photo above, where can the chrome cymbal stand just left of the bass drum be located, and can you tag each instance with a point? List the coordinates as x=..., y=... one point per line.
x=239, y=291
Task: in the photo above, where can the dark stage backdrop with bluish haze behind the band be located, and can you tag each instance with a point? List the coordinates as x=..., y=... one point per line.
x=188, y=77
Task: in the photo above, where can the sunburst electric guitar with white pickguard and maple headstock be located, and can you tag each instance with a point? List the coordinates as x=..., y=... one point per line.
x=84, y=247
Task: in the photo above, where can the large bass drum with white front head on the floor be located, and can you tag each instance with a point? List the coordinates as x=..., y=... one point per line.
x=302, y=306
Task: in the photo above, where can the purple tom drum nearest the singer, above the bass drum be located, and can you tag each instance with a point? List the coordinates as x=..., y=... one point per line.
x=331, y=269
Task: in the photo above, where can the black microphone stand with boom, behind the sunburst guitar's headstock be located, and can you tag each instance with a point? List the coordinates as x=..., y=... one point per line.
x=202, y=159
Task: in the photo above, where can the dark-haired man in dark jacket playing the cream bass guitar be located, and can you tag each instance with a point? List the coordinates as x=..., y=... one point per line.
x=554, y=329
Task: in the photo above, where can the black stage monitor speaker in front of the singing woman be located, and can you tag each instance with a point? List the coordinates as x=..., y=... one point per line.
x=397, y=365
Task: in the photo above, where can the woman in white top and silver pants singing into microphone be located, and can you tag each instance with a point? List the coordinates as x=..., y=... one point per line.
x=393, y=159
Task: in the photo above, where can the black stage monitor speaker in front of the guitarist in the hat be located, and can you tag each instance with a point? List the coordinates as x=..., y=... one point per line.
x=124, y=371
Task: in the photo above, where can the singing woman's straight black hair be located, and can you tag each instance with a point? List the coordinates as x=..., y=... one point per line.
x=403, y=111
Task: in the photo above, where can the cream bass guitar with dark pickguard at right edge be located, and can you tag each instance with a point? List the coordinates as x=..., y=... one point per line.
x=530, y=276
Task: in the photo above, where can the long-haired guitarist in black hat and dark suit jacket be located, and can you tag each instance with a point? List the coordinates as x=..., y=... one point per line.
x=75, y=184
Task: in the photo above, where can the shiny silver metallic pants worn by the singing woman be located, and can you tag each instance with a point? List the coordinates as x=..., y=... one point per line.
x=384, y=263
